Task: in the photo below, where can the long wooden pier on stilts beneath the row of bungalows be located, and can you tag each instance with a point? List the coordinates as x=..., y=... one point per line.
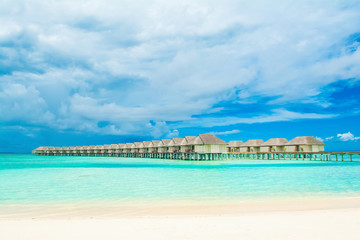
x=310, y=156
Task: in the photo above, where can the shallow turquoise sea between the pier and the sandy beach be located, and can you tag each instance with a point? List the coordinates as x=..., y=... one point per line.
x=32, y=179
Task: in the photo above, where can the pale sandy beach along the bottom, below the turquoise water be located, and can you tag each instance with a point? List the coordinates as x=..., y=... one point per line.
x=315, y=219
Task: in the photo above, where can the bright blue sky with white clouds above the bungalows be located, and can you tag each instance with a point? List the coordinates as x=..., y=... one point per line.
x=99, y=72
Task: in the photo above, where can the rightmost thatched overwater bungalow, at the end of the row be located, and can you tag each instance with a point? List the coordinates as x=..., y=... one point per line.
x=304, y=144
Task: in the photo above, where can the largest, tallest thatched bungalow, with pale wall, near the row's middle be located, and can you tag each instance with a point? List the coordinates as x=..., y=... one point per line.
x=207, y=143
